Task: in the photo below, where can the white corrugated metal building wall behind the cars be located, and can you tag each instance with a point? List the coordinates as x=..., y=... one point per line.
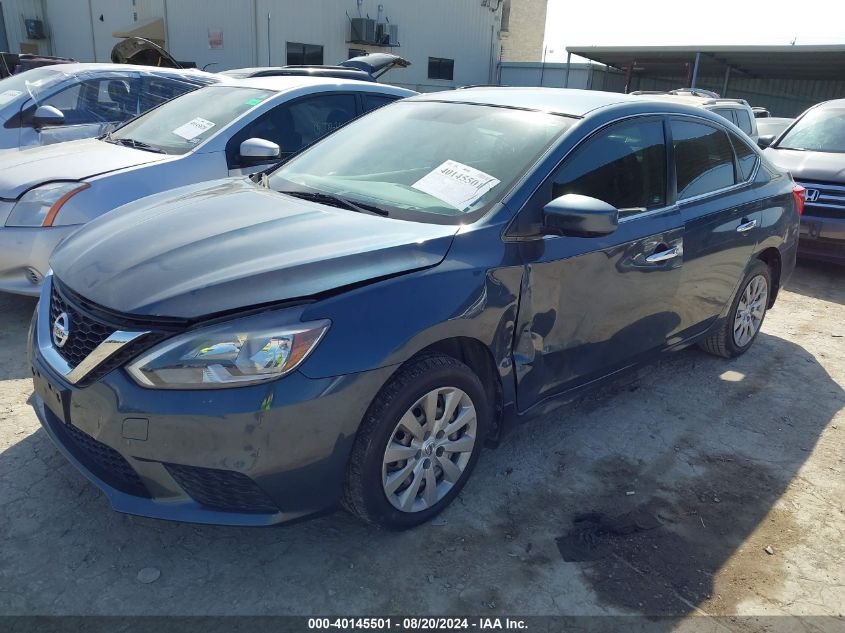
x=256, y=32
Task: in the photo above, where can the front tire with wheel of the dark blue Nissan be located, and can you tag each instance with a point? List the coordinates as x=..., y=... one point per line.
x=408, y=491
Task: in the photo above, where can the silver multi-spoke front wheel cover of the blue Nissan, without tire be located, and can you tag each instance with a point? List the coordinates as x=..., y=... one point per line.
x=429, y=449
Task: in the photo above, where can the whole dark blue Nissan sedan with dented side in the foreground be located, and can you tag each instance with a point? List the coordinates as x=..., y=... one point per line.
x=353, y=326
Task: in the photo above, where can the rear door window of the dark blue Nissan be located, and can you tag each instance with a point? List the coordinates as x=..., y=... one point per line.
x=704, y=160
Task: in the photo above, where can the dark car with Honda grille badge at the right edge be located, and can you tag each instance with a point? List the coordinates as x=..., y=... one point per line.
x=813, y=150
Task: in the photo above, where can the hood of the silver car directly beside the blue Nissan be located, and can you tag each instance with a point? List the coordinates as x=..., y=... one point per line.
x=22, y=169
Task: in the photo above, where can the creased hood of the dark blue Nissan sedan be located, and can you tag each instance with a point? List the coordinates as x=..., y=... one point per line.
x=231, y=244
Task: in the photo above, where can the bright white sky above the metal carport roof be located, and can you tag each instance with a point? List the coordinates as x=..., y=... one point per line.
x=679, y=23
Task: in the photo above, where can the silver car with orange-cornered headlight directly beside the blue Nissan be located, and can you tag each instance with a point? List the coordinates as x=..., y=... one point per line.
x=227, y=129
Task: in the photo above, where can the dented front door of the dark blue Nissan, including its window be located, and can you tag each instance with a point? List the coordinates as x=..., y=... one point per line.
x=592, y=306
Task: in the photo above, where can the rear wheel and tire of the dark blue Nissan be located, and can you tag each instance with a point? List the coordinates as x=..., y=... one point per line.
x=724, y=341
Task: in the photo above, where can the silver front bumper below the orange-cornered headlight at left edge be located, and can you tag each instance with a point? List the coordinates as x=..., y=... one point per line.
x=24, y=256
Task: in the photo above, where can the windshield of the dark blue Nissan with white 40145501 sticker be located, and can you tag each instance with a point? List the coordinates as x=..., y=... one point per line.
x=425, y=160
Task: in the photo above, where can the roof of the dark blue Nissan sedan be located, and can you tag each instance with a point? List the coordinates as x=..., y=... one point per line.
x=566, y=101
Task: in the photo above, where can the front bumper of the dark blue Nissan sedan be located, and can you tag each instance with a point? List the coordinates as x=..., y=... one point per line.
x=253, y=455
